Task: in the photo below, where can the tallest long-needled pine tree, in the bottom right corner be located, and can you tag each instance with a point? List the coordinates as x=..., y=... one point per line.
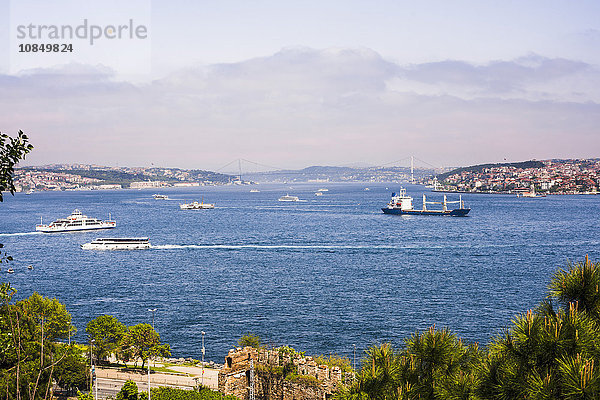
x=550, y=353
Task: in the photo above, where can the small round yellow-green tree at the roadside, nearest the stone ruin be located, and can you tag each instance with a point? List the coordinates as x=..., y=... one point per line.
x=141, y=341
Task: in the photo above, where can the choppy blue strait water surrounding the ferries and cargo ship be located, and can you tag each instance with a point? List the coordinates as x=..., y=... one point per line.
x=320, y=275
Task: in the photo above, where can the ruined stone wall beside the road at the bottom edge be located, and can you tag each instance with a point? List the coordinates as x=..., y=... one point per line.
x=234, y=377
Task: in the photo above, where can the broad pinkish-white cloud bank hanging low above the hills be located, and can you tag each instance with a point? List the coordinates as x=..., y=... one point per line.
x=303, y=106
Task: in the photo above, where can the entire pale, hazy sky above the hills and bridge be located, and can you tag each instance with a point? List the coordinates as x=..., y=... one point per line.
x=299, y=83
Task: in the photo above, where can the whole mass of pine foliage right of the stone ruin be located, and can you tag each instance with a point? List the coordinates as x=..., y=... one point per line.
x=552, y=352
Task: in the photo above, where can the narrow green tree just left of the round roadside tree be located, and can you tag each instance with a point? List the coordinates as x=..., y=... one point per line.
x=107, y=332
